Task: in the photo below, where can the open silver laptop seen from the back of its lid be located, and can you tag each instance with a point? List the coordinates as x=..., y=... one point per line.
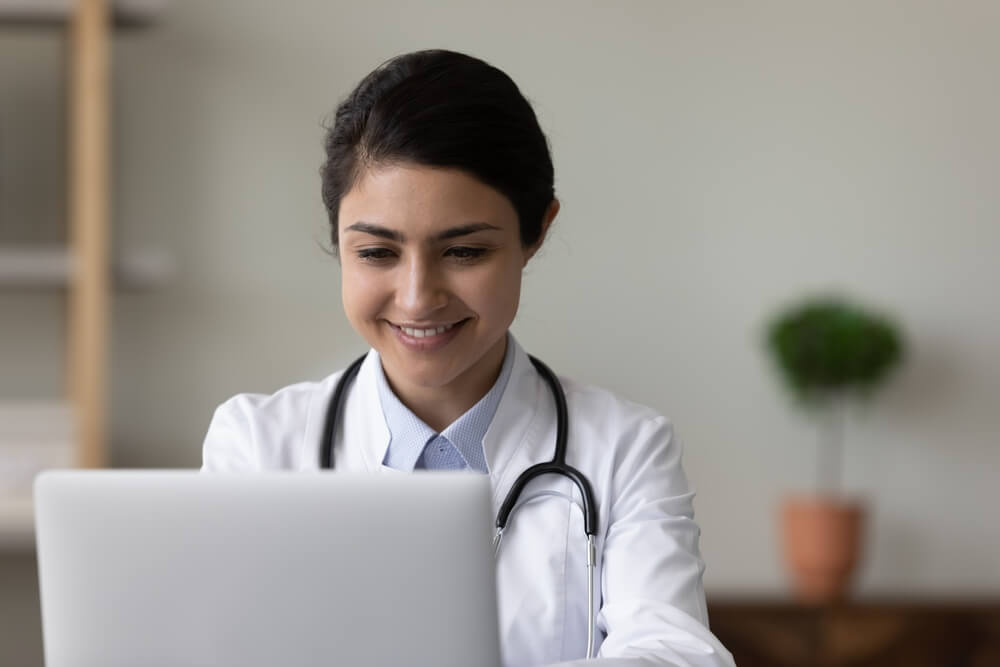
x=184, y=569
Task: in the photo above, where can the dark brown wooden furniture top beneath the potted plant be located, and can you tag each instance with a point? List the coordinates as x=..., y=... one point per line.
x=910, y=633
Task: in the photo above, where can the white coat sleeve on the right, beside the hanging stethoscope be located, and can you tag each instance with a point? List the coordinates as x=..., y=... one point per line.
x=653, y=609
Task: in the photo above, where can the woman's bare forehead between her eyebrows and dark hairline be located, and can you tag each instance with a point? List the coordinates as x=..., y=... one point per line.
x=415, y=197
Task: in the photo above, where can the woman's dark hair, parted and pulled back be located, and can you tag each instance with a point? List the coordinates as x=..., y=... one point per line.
x=442, y=109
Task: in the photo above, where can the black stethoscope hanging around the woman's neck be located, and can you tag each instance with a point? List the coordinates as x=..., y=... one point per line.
x=557, y=466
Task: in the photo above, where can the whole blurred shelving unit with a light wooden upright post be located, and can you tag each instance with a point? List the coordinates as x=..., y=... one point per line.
x=85, y=267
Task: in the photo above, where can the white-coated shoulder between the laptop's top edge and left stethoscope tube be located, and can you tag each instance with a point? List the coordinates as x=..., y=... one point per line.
x=256, y=431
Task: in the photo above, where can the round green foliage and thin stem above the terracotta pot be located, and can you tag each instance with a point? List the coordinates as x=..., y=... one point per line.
x=828, y=350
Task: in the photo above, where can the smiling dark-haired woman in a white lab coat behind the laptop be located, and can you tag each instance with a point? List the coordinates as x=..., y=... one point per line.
x=439, y=188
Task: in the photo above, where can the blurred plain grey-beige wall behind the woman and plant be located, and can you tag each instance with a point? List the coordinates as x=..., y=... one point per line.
x=715, y=162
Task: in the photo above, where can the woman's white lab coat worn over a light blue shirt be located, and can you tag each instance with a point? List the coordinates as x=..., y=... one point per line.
x=649, y=594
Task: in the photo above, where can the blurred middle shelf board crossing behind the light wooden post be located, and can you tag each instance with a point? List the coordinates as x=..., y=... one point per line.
x=52, y=267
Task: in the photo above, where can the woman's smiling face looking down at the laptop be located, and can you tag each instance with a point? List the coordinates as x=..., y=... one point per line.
x=431, y=264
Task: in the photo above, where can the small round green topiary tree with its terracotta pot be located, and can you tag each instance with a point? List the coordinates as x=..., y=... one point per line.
x=828, y=351
